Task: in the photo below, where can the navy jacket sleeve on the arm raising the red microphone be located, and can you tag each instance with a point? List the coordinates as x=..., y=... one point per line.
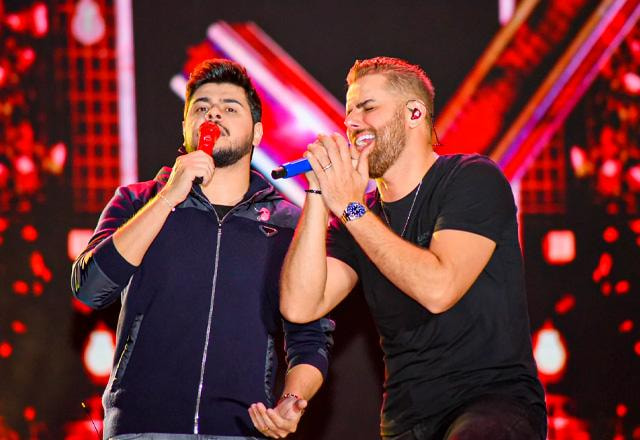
x=100, y=273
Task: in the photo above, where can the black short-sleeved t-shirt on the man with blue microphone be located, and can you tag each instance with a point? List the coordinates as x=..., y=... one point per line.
x=482, y=345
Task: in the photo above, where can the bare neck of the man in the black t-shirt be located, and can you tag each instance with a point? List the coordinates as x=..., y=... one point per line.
x=406, y=173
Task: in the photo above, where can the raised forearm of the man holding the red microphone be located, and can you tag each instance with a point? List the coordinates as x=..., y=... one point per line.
x=133, y=239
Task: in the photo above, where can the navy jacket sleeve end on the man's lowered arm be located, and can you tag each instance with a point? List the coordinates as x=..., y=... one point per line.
x=309, y=343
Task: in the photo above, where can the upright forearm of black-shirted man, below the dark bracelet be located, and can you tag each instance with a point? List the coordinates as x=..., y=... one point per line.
x=304, y=272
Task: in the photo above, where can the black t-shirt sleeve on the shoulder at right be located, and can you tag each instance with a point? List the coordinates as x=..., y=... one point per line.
x=477, y=199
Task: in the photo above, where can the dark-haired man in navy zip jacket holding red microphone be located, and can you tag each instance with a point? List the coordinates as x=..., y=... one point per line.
x=196, y=267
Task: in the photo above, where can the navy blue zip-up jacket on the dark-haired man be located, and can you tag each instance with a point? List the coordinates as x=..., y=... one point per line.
x=195, y=336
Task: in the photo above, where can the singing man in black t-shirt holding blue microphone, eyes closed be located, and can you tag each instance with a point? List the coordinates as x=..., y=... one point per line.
x=436, y=250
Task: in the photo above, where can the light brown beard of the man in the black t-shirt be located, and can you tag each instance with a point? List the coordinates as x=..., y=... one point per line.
x=390, y=141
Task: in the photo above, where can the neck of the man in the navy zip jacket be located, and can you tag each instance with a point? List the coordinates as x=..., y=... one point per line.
x=229, y=184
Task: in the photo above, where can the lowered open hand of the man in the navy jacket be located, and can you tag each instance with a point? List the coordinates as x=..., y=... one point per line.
x=280, y=421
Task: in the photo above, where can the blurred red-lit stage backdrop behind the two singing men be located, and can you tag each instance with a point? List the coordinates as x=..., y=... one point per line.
x=91, y=98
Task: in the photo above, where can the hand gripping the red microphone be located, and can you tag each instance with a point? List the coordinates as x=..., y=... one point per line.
x=186, y=168
